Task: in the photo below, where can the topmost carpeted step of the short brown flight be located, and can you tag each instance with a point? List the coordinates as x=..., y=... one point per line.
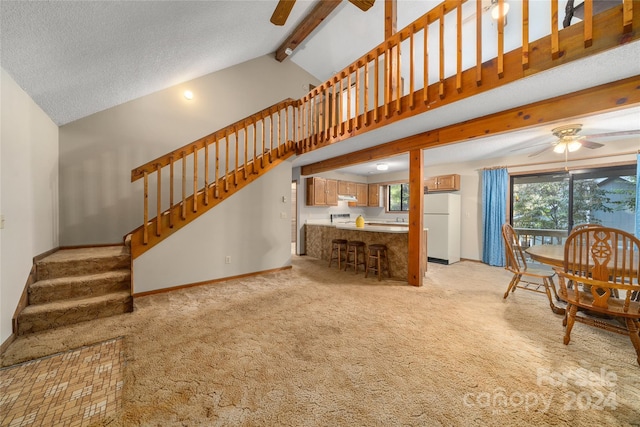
x=83, y=261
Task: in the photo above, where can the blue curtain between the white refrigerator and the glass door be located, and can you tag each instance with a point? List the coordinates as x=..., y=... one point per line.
x=494, y=214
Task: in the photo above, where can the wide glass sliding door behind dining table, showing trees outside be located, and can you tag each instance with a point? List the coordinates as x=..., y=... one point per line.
x=556, y=202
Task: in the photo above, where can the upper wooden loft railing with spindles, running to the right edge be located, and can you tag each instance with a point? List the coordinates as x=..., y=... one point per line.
x=432, y=61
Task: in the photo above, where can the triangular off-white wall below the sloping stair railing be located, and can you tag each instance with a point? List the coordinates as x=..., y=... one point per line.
x=248, y=226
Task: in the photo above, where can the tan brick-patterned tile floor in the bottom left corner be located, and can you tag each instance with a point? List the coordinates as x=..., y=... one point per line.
x=76, y=388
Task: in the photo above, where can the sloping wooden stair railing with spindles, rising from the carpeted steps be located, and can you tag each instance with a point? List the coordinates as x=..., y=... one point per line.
x=210, y=169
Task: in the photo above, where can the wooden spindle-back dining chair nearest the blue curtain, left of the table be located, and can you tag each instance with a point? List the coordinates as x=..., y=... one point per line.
x=536, y=279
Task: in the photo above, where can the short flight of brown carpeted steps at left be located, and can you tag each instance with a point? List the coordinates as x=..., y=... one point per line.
x=76, y=285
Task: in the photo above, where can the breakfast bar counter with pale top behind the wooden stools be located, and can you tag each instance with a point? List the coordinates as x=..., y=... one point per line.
x=318, y=242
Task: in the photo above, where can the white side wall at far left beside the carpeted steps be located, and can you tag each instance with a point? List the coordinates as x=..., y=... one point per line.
x=29, y=192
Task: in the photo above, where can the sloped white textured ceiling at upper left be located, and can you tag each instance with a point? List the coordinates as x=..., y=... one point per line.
x=75, y=58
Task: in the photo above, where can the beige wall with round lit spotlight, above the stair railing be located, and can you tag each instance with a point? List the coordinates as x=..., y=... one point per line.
x=98, y=202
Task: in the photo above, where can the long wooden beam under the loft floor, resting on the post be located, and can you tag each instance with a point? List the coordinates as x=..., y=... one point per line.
x=607, y=97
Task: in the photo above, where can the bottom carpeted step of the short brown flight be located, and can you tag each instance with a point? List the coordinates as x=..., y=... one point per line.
x=40, y=317
